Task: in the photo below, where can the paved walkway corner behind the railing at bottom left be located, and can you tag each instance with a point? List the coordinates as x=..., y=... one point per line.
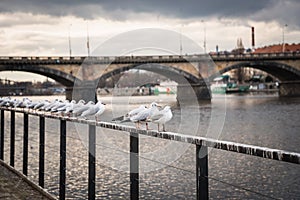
x=14, y=185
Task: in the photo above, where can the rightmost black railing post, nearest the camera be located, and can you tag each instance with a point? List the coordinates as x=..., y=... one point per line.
x=202, y=172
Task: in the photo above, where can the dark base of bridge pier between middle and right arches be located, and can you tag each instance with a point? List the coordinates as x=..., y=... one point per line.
x=187, y=93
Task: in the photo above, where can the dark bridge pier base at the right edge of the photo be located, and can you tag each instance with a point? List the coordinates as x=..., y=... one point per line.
x=289, y=89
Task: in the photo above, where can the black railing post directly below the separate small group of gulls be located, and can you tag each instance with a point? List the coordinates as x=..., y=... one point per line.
x=134, y=166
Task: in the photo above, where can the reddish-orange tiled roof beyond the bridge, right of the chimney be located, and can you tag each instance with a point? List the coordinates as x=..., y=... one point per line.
x=278, y=48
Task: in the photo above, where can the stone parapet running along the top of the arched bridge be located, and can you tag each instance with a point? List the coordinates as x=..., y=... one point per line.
x=153, y=58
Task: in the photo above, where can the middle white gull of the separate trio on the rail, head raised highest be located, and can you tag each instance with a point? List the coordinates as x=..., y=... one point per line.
x=144, y=115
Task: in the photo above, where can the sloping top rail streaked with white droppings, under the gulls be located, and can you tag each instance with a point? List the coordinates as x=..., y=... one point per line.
x=264, y=152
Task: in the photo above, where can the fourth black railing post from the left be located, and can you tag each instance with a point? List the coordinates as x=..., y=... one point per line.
x=42, y=152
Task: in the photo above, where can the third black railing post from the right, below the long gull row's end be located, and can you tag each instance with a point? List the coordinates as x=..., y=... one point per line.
x=92, y=162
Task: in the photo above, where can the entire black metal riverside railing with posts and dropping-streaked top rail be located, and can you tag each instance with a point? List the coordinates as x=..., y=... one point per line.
x=202, y=143
